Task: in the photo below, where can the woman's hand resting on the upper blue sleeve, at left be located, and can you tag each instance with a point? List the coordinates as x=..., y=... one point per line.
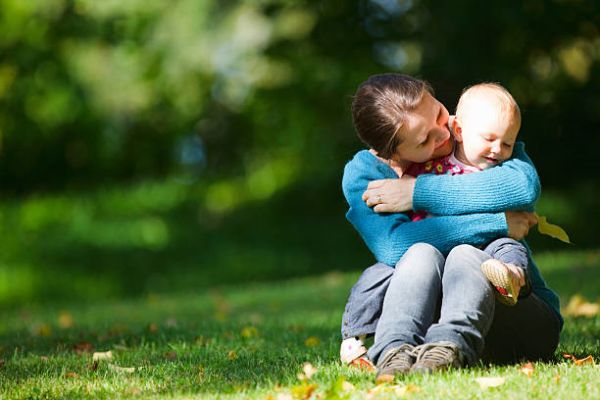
x=390, y=195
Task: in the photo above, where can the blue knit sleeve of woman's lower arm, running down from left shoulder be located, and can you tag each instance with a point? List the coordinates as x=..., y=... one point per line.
x=388, y=236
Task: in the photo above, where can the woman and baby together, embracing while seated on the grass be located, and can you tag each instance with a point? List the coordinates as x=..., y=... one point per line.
x=443, y=203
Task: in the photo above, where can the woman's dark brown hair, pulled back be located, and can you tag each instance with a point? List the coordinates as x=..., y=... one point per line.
x=380, y=107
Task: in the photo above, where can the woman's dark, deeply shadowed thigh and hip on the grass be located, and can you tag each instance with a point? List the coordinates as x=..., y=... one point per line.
x=529, y=330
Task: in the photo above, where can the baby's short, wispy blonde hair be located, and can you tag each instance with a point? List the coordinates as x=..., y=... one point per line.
x=495, y=93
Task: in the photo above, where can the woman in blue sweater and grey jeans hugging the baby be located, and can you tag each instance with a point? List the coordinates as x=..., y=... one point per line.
x=438, y=309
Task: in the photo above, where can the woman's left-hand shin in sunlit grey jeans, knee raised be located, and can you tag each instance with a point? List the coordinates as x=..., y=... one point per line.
x=411, y=301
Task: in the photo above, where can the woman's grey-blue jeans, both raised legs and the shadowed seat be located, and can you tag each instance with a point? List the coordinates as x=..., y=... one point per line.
x=429, y=298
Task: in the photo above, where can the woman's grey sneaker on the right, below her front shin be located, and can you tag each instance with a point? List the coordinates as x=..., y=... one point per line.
x=436, y=356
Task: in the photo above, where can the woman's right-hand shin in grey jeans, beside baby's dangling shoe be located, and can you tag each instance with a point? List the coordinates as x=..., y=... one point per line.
x=467, y=304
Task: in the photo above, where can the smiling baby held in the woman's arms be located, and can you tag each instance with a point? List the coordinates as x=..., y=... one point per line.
x=485, y=129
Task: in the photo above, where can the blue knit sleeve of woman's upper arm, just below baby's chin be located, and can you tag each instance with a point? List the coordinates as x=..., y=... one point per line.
x=512, y=185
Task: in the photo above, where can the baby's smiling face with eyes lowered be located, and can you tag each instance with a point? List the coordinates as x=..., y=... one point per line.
x=487, y=136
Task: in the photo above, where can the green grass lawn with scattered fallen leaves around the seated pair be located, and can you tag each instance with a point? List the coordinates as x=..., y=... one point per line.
x=252, y=340
